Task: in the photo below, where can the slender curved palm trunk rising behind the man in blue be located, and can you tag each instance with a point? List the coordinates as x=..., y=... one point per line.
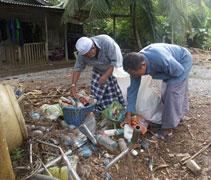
x=133, y=19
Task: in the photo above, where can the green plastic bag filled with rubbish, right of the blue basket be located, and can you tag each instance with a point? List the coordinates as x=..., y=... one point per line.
x=115, y=112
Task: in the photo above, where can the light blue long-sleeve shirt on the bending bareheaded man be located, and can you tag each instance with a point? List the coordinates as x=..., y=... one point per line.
x=170, y=63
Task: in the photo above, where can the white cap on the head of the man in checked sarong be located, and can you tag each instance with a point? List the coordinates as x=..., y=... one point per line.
x=83, y=45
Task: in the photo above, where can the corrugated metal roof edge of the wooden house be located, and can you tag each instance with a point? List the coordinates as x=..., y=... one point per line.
x=29, y=4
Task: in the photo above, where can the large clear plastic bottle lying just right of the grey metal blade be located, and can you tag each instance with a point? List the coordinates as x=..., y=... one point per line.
x=107, y=142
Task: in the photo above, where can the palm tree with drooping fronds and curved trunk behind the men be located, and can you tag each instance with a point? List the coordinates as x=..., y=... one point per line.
x=86, y=10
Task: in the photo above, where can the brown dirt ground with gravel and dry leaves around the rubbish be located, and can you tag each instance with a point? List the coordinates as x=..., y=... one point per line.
x=191, y=135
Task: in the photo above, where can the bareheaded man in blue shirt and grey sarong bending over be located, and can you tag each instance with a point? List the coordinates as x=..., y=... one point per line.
x=170, y=63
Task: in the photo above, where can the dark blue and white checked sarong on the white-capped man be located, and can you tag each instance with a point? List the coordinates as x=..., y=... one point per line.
x=107, y=93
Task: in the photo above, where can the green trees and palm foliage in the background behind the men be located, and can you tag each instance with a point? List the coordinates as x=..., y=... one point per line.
x=155, y=19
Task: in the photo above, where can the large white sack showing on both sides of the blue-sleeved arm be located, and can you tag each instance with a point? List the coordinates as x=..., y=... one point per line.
x=148, y=102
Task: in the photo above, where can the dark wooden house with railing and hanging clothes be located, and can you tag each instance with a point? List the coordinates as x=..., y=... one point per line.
x=30, y=31
